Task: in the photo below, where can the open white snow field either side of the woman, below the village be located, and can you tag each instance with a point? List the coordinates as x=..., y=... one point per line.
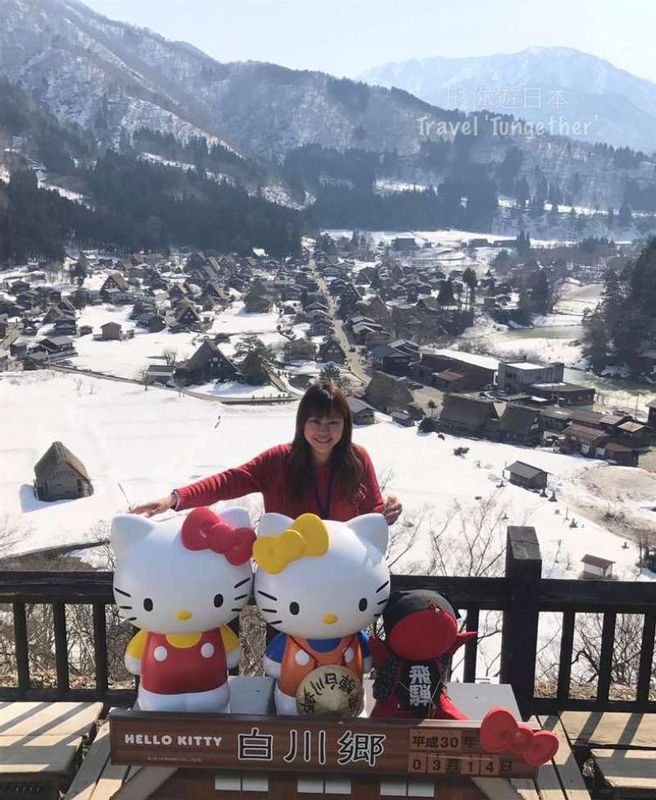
x=138, y=445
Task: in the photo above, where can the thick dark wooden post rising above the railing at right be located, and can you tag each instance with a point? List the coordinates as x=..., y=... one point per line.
x=520, y=620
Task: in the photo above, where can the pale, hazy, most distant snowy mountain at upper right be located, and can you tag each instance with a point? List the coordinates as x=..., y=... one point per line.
x=537, y=84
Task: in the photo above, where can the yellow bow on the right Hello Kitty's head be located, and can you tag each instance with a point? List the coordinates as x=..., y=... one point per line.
x=307, y=536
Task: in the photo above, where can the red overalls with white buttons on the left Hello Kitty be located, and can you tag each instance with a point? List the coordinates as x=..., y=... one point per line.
x=203, y=664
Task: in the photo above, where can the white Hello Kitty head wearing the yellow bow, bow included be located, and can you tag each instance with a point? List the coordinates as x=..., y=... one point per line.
x=321, y=580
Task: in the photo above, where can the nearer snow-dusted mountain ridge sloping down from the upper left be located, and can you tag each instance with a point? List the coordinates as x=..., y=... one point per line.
x=112, y=79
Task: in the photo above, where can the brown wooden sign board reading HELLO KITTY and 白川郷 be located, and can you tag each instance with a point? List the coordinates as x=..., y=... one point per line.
x=308, y=744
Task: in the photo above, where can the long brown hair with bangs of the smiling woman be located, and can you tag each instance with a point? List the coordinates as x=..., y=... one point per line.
x=324, y=399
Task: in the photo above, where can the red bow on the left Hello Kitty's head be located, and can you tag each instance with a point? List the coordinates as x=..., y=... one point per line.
x=205, y=530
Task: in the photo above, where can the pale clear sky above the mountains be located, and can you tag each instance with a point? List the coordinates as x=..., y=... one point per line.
x=345, y=37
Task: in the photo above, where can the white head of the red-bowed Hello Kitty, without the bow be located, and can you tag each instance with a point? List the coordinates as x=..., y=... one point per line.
x=163, y=586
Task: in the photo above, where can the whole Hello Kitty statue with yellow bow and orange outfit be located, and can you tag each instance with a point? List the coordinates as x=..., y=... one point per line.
x=319, y=583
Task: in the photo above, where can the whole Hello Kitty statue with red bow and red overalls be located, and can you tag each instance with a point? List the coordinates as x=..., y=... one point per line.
x=181, y=582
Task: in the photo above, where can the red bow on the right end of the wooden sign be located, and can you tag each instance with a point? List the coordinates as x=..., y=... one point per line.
x=500, y=732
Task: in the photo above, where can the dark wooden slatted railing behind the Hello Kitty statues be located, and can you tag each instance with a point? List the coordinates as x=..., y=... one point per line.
x=522, y=595
